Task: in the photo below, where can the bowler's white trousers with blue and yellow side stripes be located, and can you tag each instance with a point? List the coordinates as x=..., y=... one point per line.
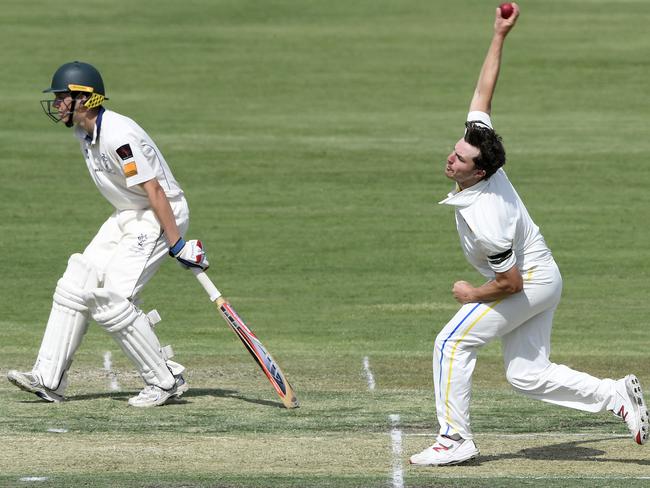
x=523, y=321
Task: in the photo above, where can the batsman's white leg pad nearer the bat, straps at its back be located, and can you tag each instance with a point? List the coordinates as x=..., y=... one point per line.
x=133, y=331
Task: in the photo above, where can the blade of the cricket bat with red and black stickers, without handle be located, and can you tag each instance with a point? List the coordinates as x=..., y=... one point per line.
x=259, y=353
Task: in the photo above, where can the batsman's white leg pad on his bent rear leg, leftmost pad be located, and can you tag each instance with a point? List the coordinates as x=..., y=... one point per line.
x=67, y=323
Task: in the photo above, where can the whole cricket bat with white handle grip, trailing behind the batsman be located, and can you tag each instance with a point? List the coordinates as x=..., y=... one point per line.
x=263, y=358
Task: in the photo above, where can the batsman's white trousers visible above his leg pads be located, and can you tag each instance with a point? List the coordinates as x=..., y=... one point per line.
x=130, y=247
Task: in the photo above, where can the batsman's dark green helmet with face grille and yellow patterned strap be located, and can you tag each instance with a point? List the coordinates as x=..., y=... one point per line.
x=75, y=77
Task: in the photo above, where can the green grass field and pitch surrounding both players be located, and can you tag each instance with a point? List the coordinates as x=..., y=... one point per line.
x=310, y=139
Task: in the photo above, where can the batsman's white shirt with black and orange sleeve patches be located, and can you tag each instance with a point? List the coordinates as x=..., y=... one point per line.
x=120, y=155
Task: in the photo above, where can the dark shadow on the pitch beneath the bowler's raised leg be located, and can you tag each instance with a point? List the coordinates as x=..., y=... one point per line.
x=565, y=451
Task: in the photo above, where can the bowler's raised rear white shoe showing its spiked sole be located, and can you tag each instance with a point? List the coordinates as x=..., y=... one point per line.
x=630, y=406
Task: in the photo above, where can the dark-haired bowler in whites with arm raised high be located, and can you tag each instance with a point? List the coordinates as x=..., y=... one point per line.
x=517, y=303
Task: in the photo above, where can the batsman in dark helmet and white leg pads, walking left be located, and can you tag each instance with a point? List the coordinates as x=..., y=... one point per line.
x=151, y=215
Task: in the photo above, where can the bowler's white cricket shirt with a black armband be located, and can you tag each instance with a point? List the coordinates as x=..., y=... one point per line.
x=495, y=229
